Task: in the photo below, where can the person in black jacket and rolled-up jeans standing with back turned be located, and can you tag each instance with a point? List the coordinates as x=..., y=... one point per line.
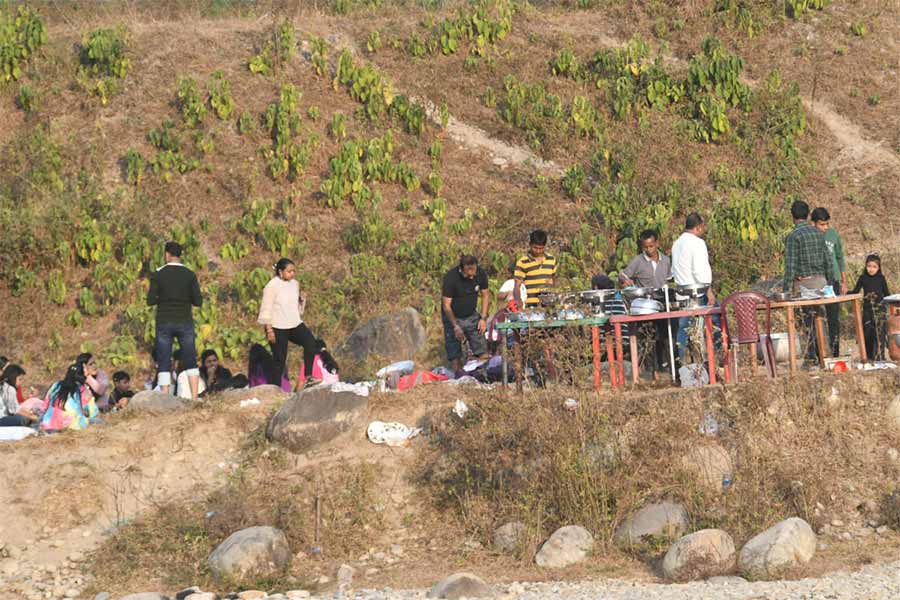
x=174, y=290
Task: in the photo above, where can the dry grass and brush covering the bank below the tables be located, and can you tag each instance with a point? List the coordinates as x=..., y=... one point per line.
x=794, y=454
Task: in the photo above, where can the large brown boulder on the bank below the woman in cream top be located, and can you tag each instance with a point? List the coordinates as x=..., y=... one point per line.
x=315, y=416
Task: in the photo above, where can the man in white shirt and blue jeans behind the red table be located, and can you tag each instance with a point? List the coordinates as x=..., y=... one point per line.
x=690, y=266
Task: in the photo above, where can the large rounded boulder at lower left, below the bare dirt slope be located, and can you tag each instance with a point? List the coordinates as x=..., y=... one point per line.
x=253, y=551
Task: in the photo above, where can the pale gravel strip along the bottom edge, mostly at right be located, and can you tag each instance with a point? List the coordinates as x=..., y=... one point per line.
x=877, y=582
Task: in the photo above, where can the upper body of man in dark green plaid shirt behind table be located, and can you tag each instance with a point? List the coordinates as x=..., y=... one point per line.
x=807, y=262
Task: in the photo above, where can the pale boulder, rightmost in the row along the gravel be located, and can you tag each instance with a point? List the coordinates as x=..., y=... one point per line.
x=787, y=544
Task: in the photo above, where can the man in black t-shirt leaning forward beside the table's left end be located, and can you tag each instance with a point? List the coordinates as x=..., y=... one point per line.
x=462, y=320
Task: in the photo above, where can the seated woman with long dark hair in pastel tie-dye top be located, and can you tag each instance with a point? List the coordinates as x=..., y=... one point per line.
x=69, y=403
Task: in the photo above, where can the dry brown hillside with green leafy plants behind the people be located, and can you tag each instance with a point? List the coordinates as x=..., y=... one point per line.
x=400, y=133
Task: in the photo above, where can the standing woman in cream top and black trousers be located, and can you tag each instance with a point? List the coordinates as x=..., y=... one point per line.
x=280, y=312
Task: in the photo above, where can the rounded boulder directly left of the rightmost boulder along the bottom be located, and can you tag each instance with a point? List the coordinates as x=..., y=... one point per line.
x=702, y=554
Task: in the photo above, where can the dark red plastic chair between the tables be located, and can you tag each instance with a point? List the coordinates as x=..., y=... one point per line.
x=745, y=311
